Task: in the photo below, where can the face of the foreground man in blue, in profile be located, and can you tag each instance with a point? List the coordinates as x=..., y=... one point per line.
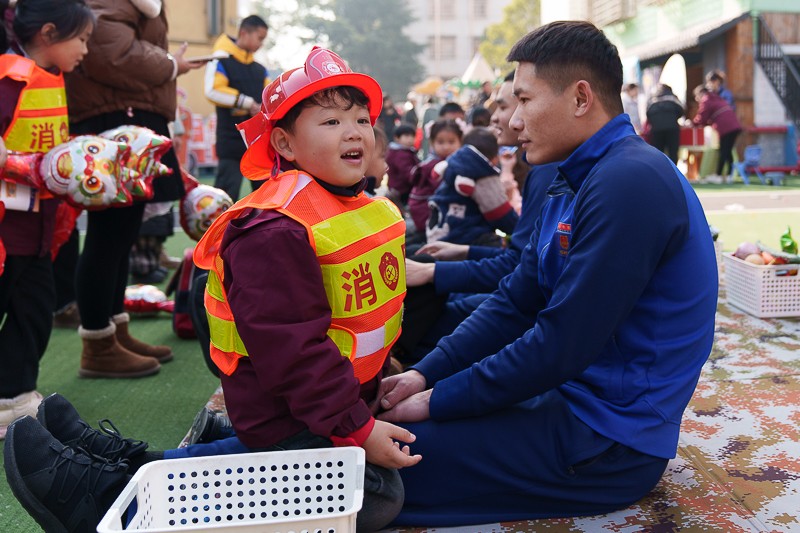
x=544, y=119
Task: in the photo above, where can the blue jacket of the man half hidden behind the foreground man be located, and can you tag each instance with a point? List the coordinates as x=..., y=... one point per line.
x=487, y=265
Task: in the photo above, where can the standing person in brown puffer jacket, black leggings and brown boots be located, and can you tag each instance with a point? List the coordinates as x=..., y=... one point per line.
x=128, y=77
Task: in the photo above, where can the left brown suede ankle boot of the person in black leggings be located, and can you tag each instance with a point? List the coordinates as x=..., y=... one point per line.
x=103, y=357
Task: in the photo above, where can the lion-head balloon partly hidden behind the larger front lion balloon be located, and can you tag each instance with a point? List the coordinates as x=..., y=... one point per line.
x=147, y=148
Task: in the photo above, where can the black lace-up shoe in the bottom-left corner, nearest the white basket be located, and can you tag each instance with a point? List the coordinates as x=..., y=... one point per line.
x=64, y=490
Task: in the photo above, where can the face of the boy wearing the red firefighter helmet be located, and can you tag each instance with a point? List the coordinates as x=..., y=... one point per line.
x=331, y=143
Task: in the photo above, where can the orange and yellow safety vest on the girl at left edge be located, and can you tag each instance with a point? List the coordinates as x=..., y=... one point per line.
x=40, y=119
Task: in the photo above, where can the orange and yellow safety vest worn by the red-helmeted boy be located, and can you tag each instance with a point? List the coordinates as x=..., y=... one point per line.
x=360, y=245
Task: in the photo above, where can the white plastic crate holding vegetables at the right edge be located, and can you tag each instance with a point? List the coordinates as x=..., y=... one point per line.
x=763, y=291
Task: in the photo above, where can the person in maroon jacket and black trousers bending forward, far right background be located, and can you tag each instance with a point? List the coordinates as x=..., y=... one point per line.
x=714, y=111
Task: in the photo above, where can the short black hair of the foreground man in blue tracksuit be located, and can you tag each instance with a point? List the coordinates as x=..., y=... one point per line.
x=567, y=51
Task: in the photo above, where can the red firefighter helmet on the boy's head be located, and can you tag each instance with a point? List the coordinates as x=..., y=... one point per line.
x=323, y=69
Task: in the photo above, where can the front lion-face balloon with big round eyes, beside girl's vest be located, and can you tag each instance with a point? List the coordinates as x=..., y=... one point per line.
x=89, y=172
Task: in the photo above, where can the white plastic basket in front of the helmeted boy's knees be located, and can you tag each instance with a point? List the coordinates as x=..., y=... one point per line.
x=308, y=491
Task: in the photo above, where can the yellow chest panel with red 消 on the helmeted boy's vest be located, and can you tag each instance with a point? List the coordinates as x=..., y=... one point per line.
x=361, y=284
